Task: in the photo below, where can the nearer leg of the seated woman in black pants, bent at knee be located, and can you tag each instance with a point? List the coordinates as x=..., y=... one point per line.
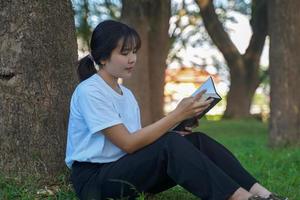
x=169, y=161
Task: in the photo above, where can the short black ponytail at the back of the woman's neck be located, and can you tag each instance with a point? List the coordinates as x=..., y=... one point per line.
x=86, y=68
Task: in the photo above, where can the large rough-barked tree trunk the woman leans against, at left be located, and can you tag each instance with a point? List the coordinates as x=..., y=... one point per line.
x=38, y=52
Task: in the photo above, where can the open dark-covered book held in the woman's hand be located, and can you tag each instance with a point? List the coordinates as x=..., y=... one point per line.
x=211, y=92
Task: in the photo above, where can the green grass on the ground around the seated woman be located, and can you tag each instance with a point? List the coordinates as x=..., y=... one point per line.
x=277, y=169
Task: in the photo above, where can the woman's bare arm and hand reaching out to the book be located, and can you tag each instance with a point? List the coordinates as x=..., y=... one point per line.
x=120, y=136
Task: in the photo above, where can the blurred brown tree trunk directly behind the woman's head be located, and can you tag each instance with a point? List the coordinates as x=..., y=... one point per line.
x=151, y=20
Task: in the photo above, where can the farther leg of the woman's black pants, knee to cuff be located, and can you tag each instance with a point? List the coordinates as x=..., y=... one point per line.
x=223, y=158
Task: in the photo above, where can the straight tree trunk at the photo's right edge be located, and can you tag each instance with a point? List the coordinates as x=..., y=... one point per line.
x=284, y=72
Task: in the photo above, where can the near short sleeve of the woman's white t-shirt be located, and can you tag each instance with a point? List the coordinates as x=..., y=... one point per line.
x=97, y=109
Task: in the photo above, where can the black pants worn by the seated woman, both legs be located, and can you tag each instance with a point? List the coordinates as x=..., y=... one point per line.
x=196, y=162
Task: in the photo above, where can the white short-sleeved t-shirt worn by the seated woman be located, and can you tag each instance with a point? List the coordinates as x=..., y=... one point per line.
x=94, y=107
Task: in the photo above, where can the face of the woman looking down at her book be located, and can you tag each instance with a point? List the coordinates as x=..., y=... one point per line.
x=121, y=64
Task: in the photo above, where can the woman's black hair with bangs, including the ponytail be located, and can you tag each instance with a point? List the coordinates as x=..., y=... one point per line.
x=104, y=40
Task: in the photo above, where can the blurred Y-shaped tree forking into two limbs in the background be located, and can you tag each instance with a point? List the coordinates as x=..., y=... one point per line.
x=243, y=68
